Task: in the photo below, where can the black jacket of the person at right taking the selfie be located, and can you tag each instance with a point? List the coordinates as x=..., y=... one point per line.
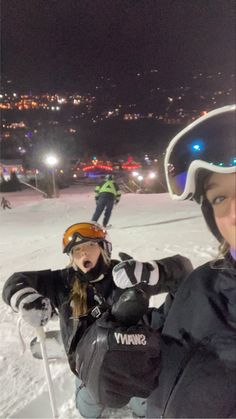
x=198, y=373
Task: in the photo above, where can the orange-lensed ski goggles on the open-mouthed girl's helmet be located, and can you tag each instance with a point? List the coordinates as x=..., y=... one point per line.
x=81, y=233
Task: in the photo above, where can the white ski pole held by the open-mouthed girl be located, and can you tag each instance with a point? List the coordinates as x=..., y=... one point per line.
x=41, y=336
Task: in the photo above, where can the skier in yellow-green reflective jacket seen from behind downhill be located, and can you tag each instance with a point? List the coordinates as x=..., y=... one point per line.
x=106, y=195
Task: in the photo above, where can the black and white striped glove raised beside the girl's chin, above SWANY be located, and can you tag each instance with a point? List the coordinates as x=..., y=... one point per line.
x=130, y=272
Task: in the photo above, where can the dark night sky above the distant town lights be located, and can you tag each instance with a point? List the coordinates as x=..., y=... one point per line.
x=53, y=43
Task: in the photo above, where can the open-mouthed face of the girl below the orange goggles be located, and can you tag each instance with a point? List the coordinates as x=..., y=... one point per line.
x=86, y=255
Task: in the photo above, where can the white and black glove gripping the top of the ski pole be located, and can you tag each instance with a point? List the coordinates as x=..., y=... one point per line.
x=35, y=309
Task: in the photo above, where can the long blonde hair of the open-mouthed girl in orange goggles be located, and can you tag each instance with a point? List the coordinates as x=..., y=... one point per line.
x=78, y=295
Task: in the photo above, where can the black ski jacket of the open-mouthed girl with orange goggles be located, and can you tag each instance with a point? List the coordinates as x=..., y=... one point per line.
x=56, y=285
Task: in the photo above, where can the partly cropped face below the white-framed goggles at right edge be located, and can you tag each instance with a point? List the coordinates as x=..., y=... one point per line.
x=221, y=193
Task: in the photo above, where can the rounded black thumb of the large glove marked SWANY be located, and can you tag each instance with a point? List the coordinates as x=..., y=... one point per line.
x=131, y=306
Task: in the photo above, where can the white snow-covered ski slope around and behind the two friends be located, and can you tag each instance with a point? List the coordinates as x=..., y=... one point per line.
x=145, y=226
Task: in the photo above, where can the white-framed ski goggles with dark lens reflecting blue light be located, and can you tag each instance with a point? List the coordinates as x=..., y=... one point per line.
x=208, y=143
